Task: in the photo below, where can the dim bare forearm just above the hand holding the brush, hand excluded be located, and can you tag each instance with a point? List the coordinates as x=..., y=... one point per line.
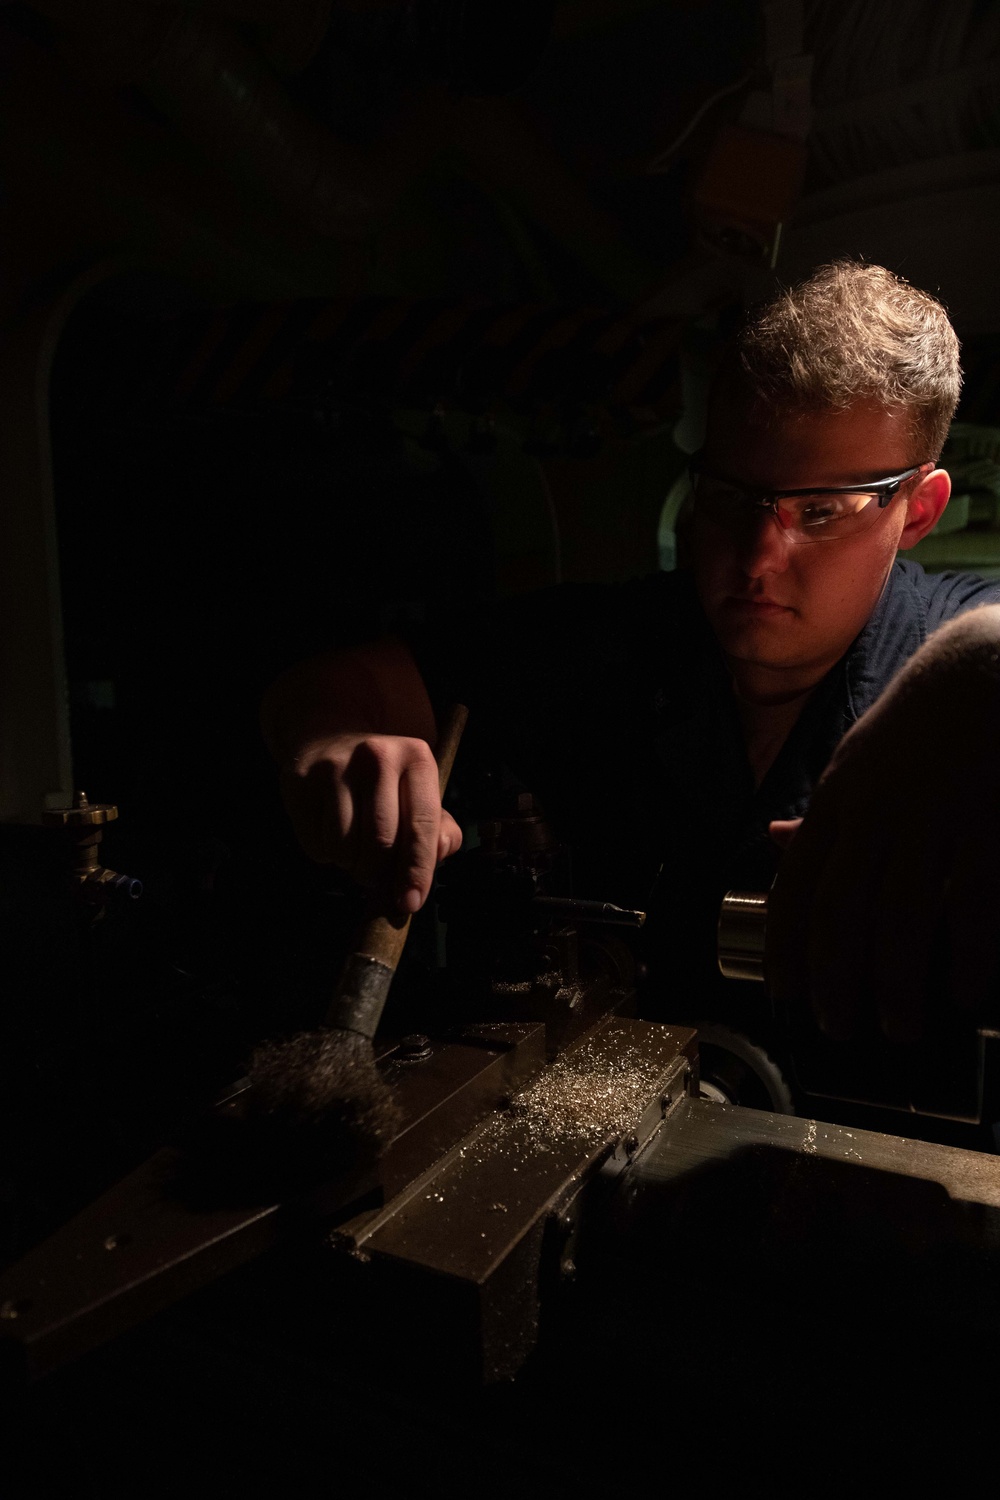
x=371, y=689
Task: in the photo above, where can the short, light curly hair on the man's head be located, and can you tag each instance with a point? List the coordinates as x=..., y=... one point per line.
x=855, y=332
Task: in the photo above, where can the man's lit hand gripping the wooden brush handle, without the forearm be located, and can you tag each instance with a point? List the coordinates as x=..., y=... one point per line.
x=371, y=806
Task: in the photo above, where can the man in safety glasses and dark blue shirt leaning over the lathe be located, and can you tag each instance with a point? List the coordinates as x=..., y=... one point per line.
x=677, y=727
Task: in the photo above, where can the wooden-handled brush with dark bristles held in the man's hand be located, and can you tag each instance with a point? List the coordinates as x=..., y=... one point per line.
x=317, y=1103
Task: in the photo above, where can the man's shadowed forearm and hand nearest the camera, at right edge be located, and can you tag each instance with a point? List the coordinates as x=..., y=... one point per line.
x=888, y=898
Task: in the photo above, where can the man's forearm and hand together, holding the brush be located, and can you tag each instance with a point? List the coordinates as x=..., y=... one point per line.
x=353, y=734
